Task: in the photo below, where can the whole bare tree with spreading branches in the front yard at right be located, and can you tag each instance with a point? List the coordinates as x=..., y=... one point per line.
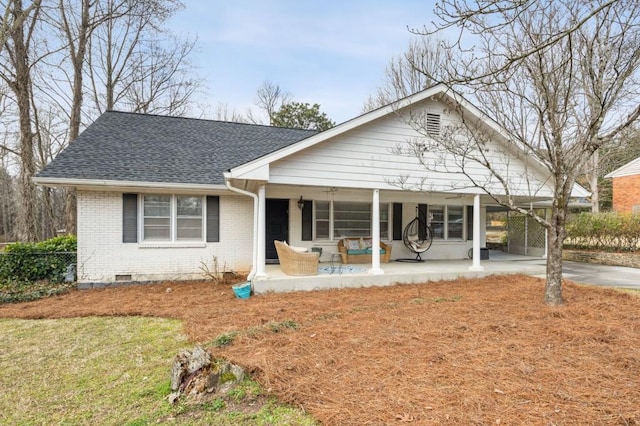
x=560, y=77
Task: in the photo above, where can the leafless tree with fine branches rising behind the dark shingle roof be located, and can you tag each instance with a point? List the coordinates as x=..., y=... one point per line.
x=136, y=65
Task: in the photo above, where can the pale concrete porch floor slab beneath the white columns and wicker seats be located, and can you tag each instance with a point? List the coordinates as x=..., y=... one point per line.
x=499, y=263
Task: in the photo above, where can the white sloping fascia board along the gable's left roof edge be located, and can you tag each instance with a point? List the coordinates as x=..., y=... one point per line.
x=240, y=171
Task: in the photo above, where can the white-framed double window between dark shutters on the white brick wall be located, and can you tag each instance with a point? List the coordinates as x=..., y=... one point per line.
x=172, y=218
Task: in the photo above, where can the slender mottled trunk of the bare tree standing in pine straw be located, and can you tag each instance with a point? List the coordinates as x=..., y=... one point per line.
x=556, y=236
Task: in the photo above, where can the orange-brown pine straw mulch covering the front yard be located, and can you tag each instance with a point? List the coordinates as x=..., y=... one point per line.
x=481, y=351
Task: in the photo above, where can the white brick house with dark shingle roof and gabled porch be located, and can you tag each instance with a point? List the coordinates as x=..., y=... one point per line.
x=160, y=196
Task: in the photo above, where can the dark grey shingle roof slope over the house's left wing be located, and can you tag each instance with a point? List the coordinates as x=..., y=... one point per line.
x=150, y=148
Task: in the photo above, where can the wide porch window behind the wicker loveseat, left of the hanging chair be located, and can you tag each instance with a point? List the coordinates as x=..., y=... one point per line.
x=348, y=219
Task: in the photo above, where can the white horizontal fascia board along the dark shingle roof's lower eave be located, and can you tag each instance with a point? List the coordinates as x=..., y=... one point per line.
x=121, y=185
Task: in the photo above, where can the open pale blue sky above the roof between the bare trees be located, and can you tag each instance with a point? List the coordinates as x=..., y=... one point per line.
x=331, y=52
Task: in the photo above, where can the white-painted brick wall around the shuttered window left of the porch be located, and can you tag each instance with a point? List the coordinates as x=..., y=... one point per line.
x=102, y=255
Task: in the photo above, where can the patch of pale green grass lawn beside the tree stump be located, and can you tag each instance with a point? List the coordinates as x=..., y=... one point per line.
x=108, y=371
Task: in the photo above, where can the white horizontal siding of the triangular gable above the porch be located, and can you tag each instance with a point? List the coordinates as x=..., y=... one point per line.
x=367, y=157
